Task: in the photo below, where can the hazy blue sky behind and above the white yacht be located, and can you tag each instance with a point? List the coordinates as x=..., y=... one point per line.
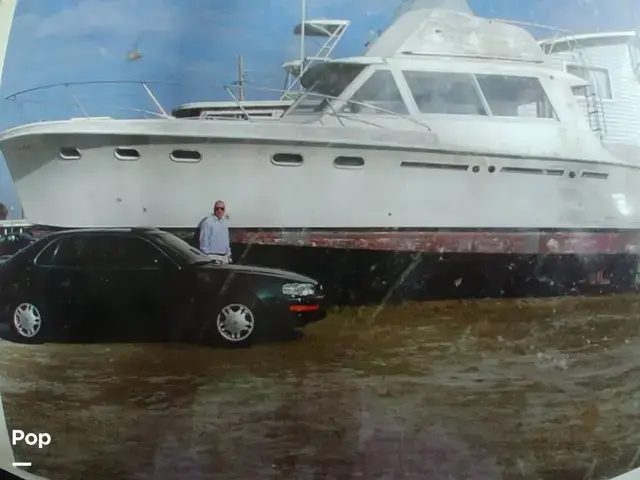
x=190, y=47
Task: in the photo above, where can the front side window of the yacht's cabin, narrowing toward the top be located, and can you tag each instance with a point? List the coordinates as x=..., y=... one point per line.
x=378, y=94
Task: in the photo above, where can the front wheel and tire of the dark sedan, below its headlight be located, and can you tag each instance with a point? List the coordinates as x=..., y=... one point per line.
x=236, y=322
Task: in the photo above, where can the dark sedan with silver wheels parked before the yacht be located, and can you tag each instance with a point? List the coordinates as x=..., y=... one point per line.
x=147, y=283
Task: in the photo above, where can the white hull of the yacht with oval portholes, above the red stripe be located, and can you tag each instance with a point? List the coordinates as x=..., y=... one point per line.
x=399, y=187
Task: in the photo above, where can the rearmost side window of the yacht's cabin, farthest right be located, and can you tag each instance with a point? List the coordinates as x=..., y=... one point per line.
x=511, y=96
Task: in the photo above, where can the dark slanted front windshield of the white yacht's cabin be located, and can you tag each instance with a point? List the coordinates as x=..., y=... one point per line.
x=324, y=83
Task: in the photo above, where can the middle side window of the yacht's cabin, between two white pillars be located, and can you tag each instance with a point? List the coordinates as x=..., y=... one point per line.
x=445, y=93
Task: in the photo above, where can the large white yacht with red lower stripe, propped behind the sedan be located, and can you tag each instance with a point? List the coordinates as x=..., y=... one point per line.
x=448, y=123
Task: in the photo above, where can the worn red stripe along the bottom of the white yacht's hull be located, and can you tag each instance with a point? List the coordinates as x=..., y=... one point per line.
x=453, y=242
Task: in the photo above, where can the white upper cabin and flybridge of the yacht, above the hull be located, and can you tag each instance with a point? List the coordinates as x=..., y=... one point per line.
x=445, y=72
